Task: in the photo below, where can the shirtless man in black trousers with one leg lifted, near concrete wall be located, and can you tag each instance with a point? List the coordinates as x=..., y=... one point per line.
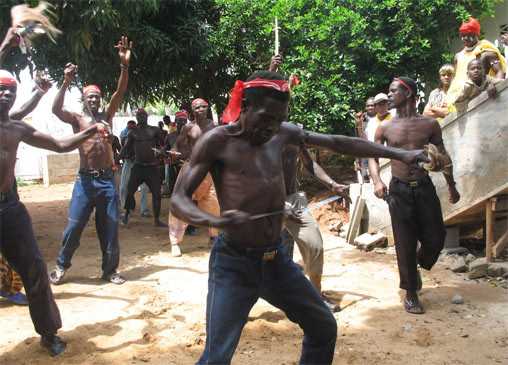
x=414, y=206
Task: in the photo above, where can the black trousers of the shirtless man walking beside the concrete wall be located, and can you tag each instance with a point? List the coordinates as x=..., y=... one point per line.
x=416, y=216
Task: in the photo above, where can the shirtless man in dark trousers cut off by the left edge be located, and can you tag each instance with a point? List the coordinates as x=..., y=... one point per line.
x=17, y=240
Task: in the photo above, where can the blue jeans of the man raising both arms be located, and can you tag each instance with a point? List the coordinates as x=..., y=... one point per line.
x=90, y=192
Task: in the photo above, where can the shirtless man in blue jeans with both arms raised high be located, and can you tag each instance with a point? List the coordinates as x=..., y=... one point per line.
x=95, y=185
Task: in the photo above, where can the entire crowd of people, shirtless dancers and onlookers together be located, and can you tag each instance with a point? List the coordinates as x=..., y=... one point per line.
x=237, y=179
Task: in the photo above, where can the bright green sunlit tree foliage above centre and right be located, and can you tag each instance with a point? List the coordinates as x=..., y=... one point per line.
x=343, y=50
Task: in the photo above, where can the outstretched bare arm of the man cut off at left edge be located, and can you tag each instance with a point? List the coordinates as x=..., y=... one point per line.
x=38, y=139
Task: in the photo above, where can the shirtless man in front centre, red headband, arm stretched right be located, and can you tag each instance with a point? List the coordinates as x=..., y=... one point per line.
x=247, y=260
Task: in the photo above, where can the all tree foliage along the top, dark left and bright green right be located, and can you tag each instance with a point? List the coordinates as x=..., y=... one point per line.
x=342, y=50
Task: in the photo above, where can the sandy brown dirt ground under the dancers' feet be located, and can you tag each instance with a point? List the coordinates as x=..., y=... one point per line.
x=158, y=316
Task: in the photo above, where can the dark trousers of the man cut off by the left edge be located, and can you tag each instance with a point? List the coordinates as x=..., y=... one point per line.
x=19, y=247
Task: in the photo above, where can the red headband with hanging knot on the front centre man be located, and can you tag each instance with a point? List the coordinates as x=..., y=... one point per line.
x=232, y=111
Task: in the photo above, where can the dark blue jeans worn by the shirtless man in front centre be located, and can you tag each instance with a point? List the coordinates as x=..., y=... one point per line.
x=236, y=281
